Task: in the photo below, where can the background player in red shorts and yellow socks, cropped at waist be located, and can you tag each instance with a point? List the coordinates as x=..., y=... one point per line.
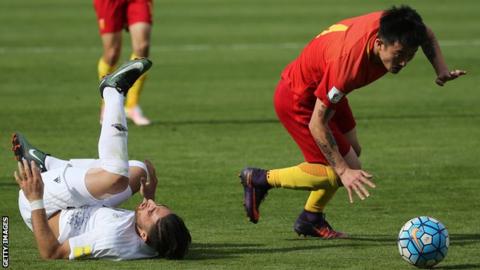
x=136, y=17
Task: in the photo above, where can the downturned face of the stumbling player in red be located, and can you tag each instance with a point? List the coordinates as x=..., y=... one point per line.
x=395, y=56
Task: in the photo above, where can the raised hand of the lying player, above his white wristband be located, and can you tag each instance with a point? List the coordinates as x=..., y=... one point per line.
x=29, y=179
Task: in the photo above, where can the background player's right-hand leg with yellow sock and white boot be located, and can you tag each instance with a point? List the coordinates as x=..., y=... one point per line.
x=140, y=35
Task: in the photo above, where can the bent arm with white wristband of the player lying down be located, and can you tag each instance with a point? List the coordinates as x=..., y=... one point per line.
x=30, y=181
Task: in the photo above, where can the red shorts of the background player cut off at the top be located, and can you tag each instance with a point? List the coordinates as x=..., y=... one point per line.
x=114, y=15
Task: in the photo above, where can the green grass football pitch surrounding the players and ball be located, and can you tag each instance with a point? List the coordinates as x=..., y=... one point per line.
x=216, y=63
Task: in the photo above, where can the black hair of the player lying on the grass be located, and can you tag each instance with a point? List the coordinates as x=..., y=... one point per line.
x=170, y=237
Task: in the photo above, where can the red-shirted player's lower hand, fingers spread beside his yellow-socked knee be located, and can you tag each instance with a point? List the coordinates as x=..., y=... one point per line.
x=355, y=180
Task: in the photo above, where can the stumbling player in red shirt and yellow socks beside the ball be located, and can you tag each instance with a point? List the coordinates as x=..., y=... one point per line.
x=310, y=101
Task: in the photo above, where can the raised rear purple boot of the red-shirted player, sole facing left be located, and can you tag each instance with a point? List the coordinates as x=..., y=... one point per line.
x=255, y=189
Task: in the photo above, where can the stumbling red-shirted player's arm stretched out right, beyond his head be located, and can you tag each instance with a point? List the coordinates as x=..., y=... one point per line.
x=432, y=51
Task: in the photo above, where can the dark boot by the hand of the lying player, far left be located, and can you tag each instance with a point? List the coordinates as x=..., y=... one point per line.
x=22, y=149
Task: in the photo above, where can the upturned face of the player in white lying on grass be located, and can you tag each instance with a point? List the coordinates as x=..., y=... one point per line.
x=149, y=212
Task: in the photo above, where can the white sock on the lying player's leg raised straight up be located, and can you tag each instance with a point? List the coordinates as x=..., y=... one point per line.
x=112, y=145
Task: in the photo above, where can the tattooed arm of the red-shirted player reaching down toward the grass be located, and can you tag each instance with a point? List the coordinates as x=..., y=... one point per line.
x=352, y=180
